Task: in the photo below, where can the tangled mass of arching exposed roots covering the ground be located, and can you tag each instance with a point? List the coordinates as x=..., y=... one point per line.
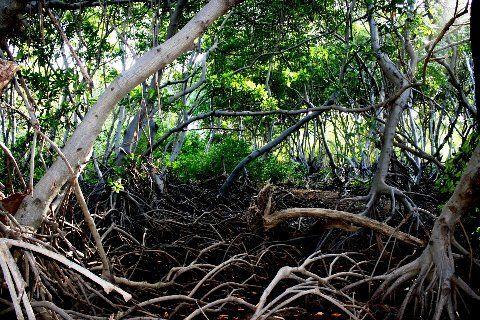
x=203, y=261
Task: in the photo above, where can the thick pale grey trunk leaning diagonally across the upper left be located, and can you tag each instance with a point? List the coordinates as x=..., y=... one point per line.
x=79, y=147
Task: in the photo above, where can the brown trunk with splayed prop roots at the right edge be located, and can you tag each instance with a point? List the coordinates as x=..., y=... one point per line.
x=434, y=270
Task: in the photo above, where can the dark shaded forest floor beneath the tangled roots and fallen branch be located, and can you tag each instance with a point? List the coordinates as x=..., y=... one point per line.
x=188, y=241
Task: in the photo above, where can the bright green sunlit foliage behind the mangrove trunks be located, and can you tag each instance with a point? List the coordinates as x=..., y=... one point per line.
x=270, y=55
